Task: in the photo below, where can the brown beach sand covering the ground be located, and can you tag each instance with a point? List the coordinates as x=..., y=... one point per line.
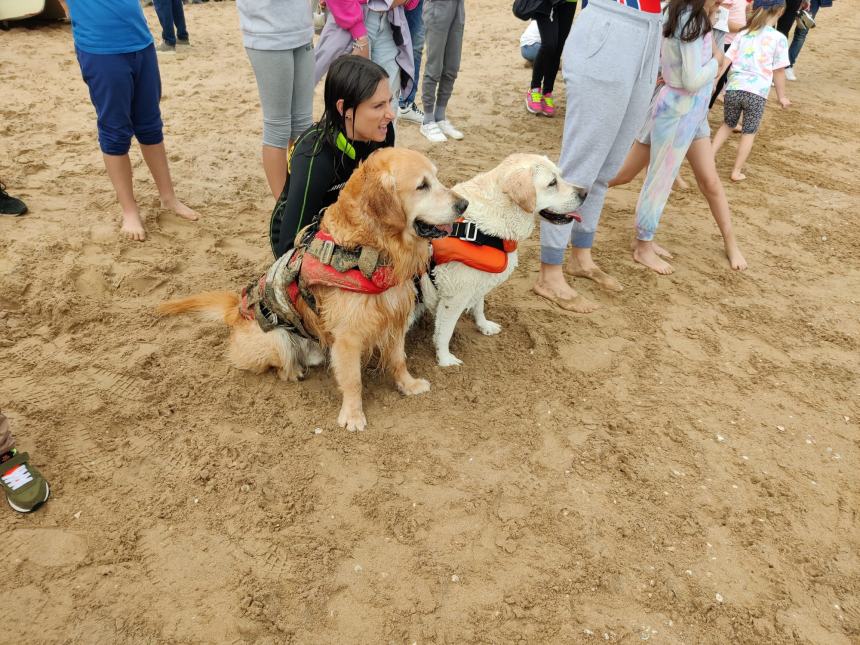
x=680, y=467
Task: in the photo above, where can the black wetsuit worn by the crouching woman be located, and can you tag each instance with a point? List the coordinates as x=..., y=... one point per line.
x=318, y=172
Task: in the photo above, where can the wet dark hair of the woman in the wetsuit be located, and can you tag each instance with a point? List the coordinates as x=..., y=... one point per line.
x=353, y=79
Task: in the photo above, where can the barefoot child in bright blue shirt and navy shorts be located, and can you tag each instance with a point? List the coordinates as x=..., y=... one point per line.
x=117, y=58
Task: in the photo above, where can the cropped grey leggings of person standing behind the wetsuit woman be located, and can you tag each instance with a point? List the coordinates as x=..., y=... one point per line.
x=285, y=79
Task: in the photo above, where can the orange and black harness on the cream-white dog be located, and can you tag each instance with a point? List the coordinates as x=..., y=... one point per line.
x=468, y=244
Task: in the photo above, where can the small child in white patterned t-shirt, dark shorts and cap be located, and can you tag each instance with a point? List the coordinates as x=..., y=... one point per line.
x=758, y=56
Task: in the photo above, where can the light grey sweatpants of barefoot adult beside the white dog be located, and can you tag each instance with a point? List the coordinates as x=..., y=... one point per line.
x=610, y=66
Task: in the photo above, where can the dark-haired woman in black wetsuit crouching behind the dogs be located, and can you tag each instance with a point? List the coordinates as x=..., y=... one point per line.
x=357, y=120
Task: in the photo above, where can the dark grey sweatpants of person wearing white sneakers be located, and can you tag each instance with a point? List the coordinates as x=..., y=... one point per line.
x=444, y=21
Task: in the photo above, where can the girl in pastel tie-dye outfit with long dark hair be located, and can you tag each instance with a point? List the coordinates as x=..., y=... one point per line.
x=689, y=67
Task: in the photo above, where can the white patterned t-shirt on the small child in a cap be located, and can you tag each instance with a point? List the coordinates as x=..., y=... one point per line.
x=754, y=56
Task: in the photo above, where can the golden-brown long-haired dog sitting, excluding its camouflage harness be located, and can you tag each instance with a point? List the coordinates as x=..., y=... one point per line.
x=392, y=203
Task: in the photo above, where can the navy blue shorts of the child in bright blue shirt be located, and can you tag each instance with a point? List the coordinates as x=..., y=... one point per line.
x=125, y=90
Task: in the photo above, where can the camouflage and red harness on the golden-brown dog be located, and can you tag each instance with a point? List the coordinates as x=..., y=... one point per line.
x=316, y=261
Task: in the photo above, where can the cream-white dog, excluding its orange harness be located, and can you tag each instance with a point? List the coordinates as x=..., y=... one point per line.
x=505, y=203
